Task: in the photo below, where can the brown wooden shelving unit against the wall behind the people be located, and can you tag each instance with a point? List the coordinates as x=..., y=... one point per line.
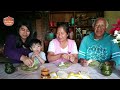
x=82, y=19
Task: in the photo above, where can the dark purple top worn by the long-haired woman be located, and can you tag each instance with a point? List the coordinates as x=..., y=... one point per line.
x=12, y=52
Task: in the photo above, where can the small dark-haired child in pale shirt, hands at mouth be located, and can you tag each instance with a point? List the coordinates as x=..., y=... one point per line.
x=37, y=55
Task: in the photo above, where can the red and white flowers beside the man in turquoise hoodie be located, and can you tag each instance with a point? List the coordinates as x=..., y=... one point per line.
x=115, y=32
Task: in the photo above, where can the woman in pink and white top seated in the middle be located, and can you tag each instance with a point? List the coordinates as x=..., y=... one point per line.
x=62, y=49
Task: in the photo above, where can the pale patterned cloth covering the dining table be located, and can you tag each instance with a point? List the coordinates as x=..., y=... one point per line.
x=94, y=73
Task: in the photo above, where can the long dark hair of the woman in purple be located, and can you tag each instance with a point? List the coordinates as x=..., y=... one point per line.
x=28, y=24
